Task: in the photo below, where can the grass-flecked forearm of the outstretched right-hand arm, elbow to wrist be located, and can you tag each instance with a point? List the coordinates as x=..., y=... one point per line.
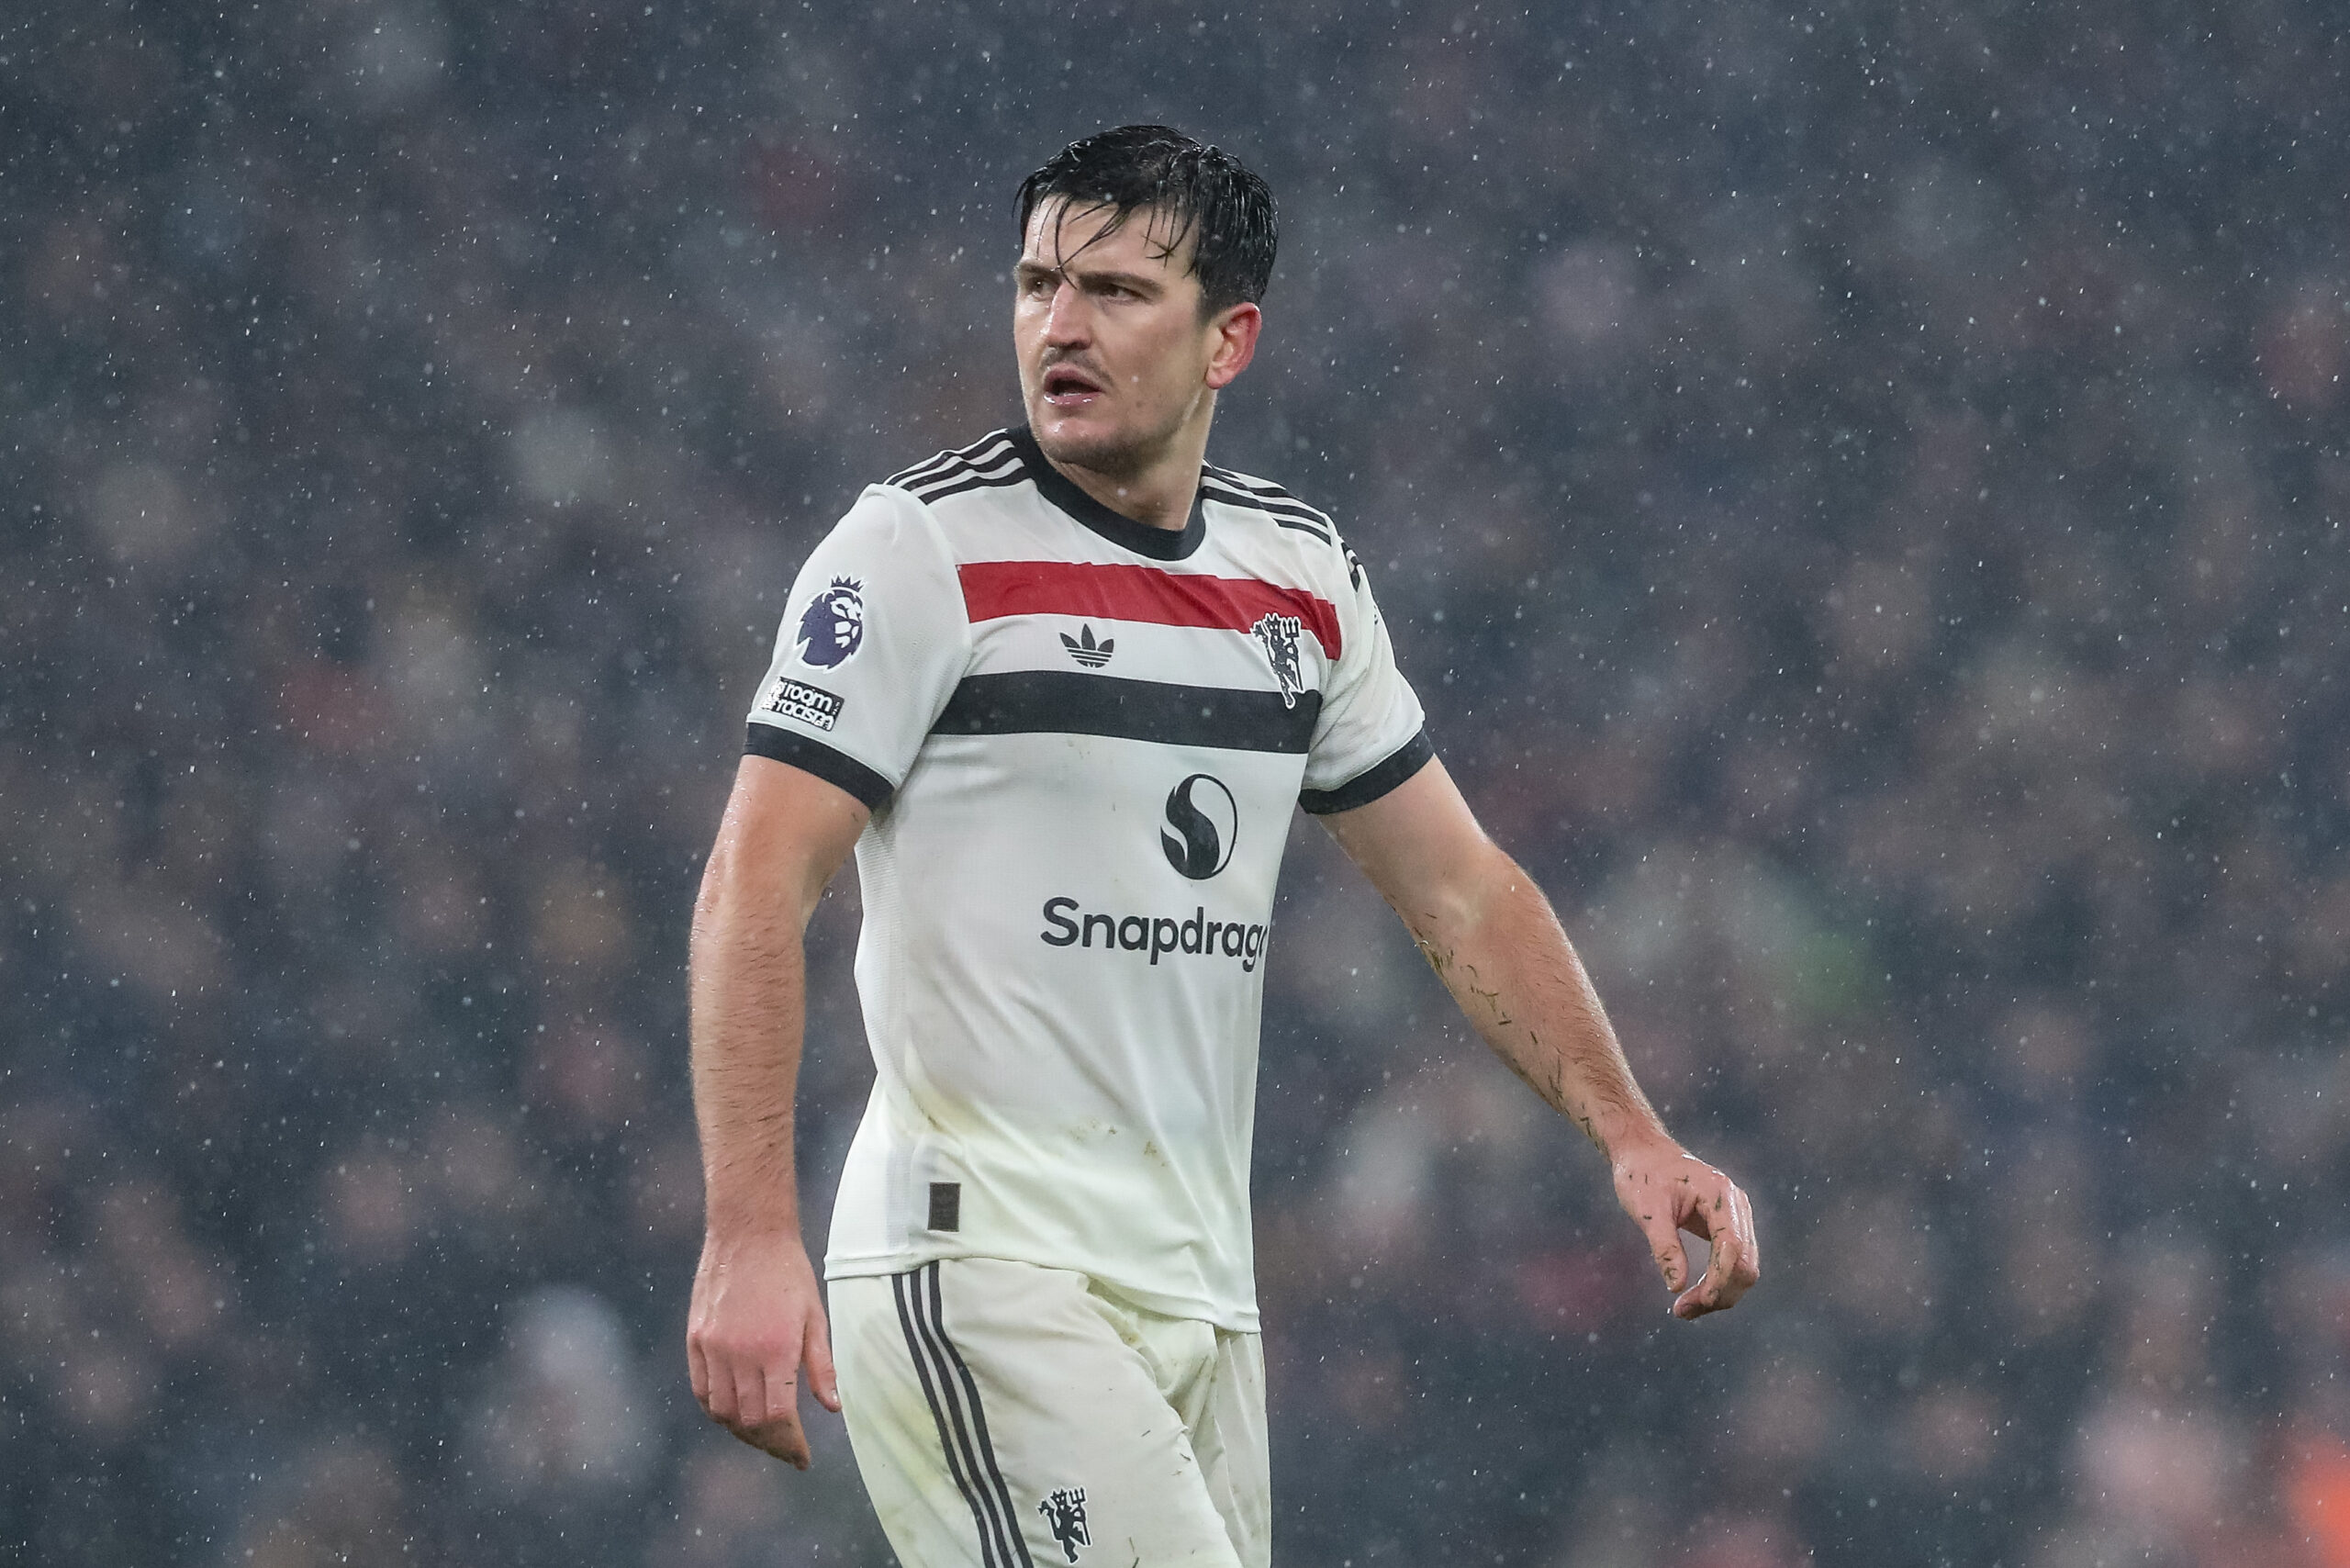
x=1510, y=965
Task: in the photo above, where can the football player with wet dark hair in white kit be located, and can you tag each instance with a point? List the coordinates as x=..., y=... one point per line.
x=1061, y=692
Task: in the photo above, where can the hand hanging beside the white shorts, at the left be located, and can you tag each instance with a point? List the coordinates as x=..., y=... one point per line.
x=756, y=1322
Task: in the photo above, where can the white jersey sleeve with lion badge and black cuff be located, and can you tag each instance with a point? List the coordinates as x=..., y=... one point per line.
x=873, y=645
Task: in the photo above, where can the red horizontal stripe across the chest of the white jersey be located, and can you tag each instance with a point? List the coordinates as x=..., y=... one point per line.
x=1139, y=594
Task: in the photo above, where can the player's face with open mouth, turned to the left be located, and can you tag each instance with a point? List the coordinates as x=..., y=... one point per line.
x=1115, y=354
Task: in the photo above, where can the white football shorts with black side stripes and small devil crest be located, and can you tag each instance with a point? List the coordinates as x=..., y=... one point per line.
x=1009, y=1416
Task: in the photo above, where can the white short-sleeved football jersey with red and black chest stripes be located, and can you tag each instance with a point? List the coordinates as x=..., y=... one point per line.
x=1082, y=742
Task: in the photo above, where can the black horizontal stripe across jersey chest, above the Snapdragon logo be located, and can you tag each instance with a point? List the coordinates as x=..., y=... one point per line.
x=1077, y=704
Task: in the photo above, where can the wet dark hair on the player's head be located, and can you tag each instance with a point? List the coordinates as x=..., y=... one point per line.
x=1188, y=187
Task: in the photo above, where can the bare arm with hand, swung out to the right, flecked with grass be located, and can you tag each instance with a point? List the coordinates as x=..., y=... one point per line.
x=1500, y=951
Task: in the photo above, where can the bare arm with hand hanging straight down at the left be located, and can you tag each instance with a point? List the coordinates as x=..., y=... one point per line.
x=758, y=1315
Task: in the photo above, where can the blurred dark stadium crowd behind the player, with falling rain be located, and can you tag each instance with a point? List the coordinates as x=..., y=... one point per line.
x=1860, y=490
